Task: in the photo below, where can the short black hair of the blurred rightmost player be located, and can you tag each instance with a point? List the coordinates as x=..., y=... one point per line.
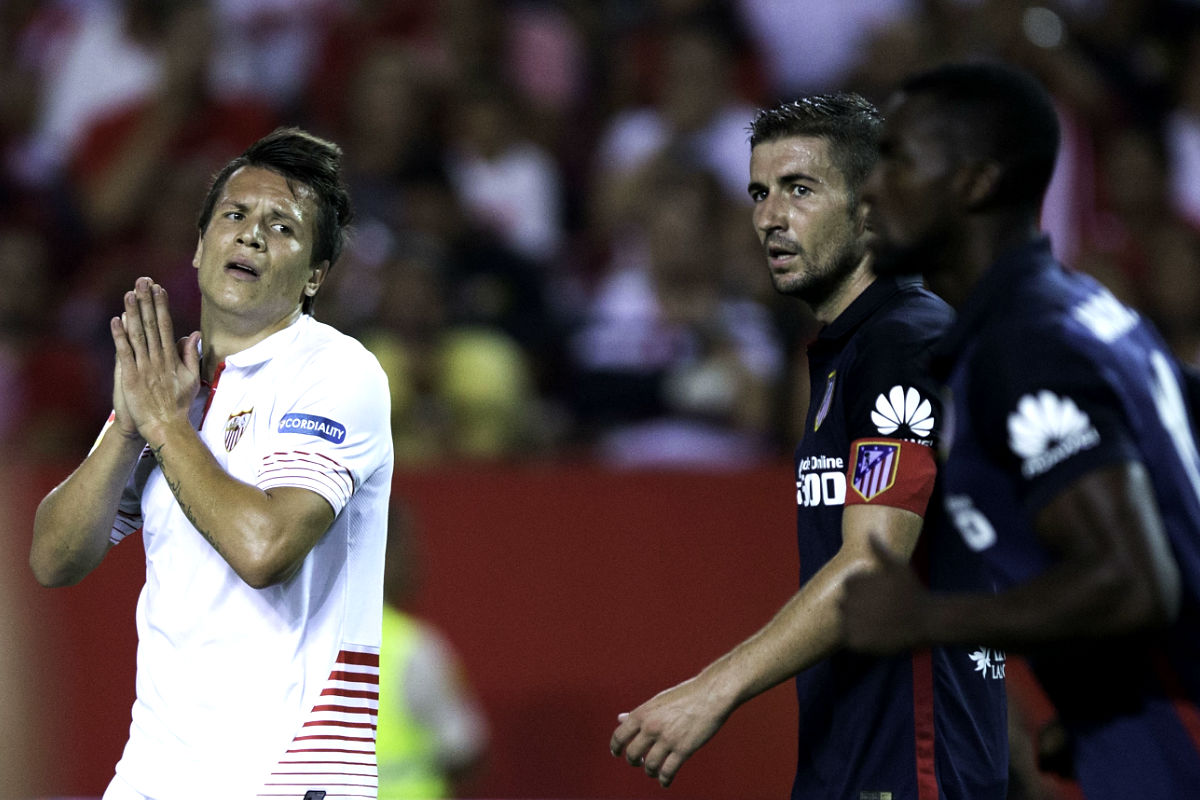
x=1001, y=115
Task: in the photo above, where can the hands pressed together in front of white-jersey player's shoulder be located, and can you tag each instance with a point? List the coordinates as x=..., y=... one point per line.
x=157, y=377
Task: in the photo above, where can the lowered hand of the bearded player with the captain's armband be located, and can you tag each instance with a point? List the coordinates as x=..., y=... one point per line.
x=664, y=732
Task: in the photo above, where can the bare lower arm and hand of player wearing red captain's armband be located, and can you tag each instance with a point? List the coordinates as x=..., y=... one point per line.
x=665, y=731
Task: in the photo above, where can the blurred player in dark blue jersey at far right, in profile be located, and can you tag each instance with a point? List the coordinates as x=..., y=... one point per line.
x=1071, y=470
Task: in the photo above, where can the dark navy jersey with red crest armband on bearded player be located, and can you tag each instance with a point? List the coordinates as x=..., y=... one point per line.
x=923, y=726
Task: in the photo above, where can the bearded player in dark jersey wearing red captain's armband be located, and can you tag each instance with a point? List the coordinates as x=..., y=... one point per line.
x=922, y=726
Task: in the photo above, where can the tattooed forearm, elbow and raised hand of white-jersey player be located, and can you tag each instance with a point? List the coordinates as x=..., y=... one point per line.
x=265, y=536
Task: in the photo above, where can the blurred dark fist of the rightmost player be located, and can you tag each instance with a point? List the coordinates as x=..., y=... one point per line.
x=883, y=607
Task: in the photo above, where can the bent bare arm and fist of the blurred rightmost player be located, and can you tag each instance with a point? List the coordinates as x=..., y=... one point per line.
x=1115, y=576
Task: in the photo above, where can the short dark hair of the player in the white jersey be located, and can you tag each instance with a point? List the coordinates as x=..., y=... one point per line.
x=305, y=159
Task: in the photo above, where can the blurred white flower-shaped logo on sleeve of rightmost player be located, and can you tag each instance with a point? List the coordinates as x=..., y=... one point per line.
x=1047, y=430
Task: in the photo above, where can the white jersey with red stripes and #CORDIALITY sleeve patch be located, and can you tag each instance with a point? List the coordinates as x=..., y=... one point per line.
x=271, y=693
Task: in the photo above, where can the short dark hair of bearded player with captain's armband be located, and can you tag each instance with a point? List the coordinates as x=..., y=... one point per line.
x=849, y=122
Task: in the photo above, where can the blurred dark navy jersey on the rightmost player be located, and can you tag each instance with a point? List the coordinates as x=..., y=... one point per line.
x=1052, y=378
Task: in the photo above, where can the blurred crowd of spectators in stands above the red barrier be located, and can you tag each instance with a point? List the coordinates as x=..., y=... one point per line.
x=554, y=255
